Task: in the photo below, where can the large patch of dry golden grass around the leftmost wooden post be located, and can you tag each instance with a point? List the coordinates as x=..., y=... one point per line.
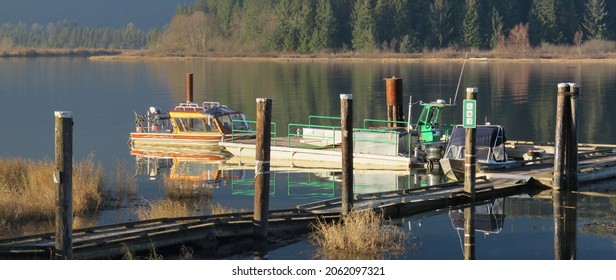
x=27, y=190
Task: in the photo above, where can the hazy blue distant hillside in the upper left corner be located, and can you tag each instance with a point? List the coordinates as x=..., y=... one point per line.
x=145, y=14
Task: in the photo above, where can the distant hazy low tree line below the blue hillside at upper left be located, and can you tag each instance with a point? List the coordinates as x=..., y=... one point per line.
x=67, y=34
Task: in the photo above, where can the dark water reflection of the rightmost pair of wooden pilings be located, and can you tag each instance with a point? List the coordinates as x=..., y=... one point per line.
x=565, y=225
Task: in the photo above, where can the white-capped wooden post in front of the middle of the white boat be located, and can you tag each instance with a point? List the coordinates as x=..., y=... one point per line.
x=346, y=114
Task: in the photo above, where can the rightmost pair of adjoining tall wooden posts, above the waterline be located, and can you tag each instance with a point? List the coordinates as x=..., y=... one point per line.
x=565, y=143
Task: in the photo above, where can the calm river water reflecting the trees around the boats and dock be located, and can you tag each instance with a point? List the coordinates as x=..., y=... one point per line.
x=103, y=96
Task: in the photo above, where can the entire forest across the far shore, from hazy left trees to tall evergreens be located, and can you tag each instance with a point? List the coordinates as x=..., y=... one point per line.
x=331, y=26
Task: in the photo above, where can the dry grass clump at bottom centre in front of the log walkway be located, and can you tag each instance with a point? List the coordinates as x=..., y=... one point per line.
x=359, y=235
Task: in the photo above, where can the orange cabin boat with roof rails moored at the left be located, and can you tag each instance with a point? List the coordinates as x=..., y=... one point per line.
x=188, y=128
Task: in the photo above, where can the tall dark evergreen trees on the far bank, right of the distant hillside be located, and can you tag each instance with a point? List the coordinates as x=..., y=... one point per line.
x=308, y=26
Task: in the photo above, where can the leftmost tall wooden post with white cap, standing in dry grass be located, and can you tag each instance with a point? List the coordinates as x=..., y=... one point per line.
x=63, y=179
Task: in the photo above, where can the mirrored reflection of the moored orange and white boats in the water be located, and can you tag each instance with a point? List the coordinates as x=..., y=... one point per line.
x=289, y=186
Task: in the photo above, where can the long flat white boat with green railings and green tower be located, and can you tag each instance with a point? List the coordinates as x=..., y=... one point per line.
x=378, y=144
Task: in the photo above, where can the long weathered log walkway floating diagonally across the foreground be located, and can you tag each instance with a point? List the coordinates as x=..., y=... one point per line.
x=214, y=231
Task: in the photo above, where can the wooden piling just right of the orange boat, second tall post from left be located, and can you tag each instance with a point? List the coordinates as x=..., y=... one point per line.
x=262, y=167
